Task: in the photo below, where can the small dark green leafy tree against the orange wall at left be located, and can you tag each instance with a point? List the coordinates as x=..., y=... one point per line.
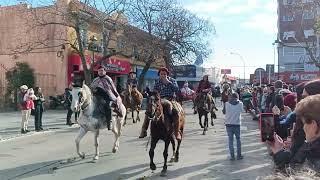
x=21, y=74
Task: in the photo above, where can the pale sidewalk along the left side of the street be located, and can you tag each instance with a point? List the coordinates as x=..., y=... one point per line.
x=10, y=123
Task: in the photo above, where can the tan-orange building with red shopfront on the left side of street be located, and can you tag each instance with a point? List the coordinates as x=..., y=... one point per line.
x=56, y=65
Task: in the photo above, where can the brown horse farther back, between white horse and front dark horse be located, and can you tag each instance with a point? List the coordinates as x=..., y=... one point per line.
x=132, y=99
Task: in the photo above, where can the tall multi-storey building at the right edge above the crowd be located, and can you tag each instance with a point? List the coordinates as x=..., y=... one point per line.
x=296, y=20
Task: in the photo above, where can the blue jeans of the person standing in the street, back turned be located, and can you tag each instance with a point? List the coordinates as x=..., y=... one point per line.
x=231, y=131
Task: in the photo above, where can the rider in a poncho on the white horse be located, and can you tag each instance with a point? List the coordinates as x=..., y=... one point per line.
x=105, y=83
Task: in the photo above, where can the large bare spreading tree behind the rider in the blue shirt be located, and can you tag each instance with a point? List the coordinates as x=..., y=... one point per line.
x=174, y=34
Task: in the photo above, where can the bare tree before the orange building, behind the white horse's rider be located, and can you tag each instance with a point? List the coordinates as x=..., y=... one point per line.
x=80, y=16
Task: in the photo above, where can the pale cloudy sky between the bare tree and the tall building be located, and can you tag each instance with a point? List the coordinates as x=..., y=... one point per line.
x=246, y=27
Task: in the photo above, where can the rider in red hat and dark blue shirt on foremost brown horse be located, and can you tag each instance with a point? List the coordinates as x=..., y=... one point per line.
x=167, y=87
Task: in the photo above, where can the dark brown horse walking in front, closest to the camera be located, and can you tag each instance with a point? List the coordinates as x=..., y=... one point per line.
x=161, y=114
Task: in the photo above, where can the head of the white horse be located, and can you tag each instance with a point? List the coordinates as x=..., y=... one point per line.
x=80, y=96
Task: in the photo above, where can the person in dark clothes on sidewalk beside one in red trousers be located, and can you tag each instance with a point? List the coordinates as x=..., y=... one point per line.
x=38, y=110
